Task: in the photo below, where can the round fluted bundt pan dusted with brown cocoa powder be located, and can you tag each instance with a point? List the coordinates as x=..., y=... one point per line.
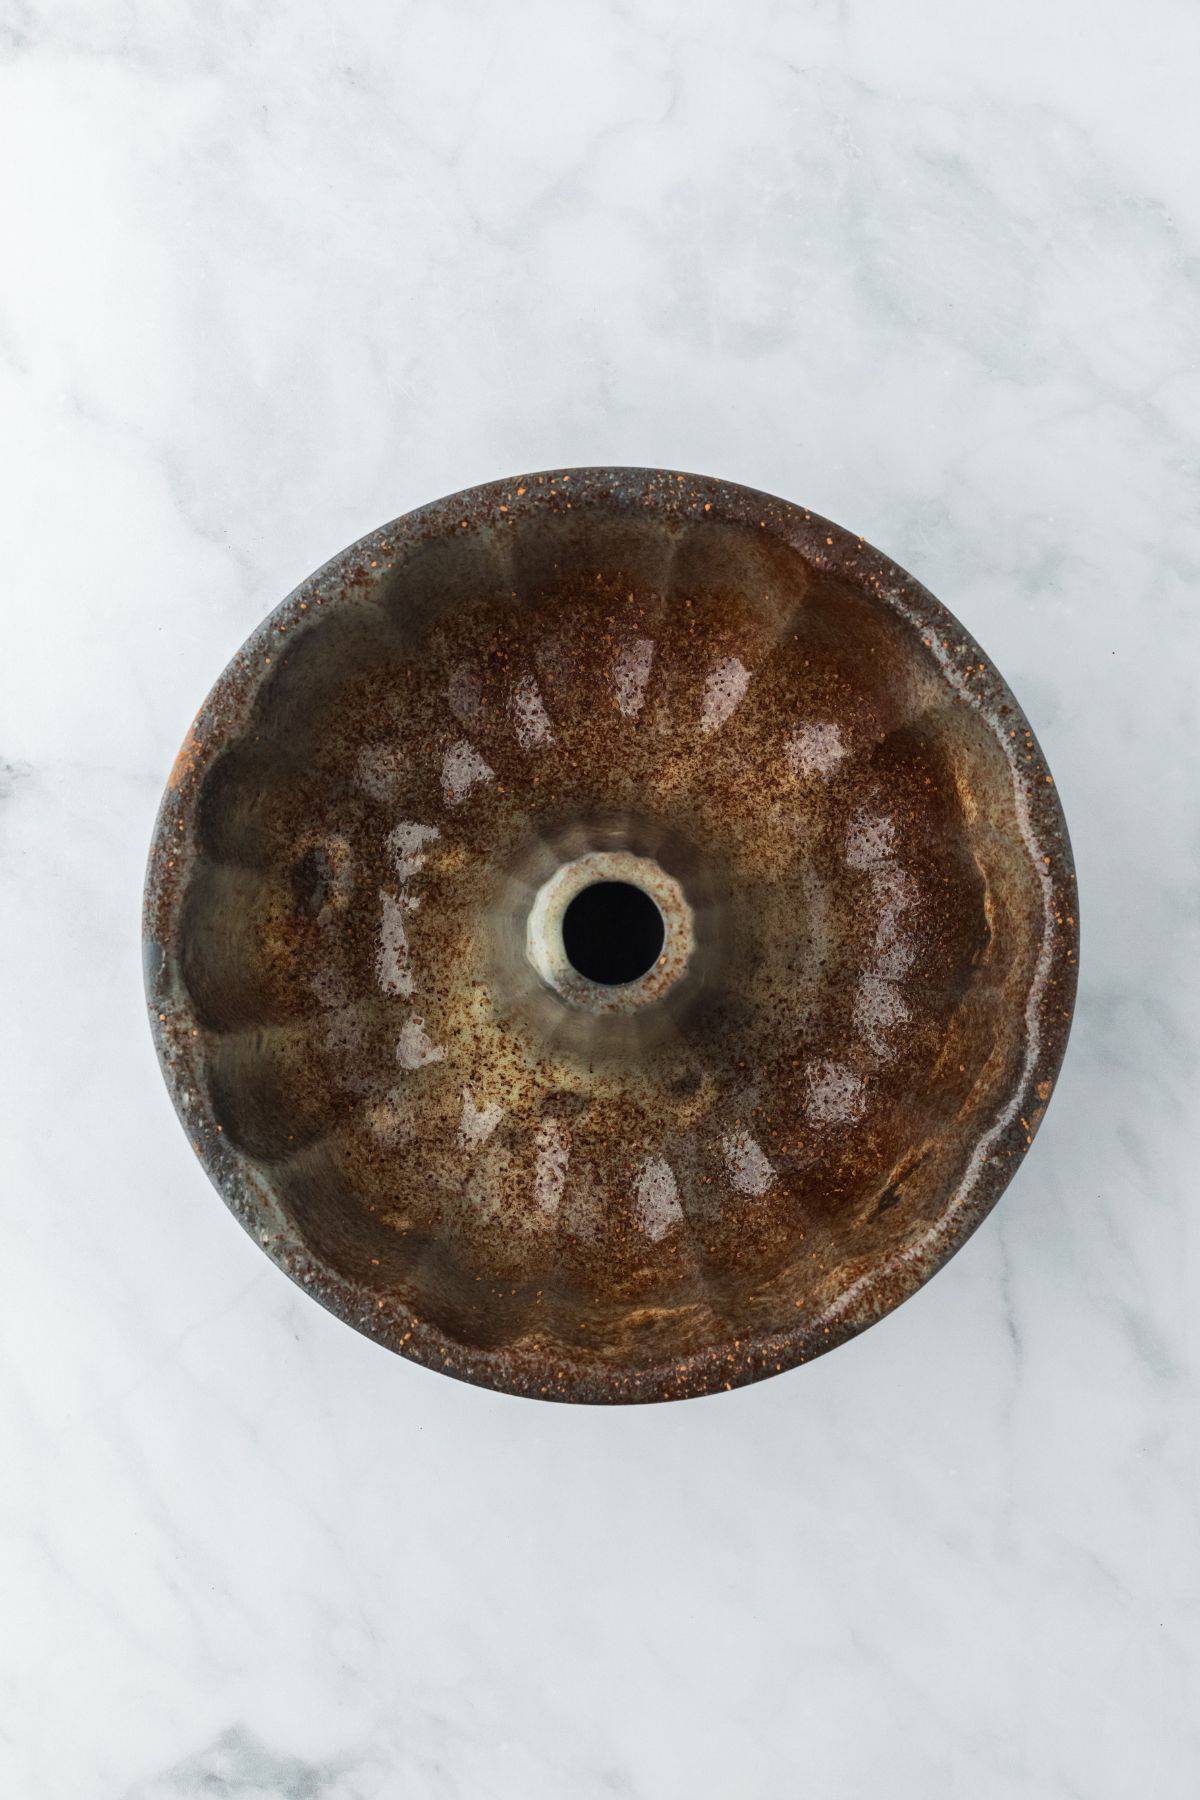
x=611, y=935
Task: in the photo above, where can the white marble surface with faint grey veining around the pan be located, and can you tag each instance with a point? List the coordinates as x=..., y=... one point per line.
x=271, y=276
